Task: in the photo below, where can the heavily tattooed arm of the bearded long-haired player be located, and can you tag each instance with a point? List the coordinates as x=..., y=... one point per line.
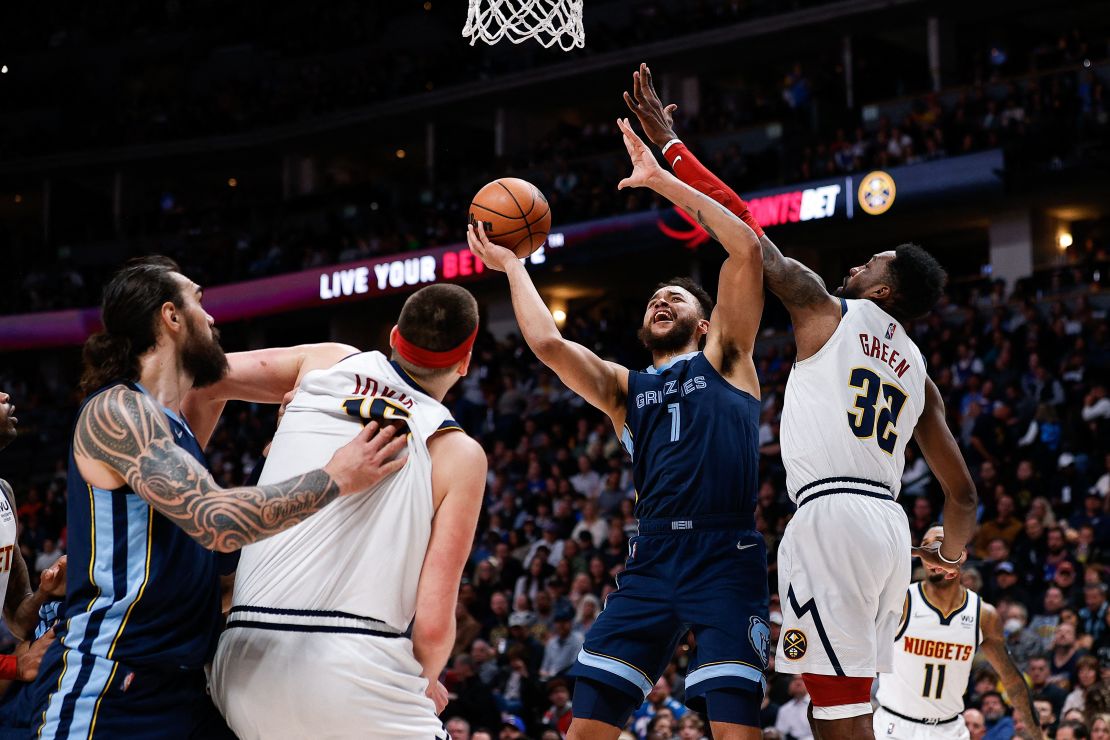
x=123, y=438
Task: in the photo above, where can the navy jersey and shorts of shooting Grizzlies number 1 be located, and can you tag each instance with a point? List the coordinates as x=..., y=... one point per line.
x=698, y=563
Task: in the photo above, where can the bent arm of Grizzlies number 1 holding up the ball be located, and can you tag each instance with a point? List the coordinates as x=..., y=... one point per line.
x=602, y=383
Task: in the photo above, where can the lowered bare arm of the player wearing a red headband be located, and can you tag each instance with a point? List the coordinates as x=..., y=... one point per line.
x=459, y=471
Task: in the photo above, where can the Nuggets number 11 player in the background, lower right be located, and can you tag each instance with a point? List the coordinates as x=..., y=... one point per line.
x=944, y=624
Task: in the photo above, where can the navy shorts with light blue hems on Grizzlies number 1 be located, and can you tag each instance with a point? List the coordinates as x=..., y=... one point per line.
x=685, y=575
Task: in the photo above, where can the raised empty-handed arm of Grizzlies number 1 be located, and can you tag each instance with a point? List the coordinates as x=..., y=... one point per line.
x=735, y=320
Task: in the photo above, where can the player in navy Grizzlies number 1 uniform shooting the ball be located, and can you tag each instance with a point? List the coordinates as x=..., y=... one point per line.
x=691, y=424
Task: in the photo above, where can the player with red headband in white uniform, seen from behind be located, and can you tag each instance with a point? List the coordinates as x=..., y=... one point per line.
x=341, y=627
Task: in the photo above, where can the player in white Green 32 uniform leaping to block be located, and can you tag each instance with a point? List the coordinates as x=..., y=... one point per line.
x=857, y=393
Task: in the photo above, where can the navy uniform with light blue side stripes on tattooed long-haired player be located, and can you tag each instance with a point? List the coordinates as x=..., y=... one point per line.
x=142, y=620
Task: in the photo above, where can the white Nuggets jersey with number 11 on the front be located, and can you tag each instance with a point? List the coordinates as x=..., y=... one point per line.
x=933, y=658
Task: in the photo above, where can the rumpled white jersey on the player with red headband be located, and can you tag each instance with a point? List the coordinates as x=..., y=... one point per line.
x=360, y=555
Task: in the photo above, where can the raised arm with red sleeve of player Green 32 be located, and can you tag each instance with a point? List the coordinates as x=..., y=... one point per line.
x=814, y=312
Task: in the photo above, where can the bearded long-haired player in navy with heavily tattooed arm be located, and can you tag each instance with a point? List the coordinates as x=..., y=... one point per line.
x=143, y=603
